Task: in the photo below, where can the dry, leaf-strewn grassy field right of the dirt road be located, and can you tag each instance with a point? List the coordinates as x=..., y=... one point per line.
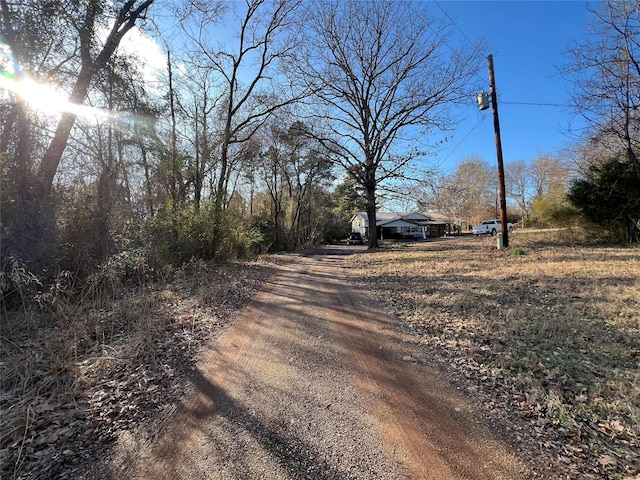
x=544, y=334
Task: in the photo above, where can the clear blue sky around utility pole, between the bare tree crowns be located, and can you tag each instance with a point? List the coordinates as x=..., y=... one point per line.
x=529, y=41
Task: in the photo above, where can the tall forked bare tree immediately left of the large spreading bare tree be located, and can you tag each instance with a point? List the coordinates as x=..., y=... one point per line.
x=246, y=70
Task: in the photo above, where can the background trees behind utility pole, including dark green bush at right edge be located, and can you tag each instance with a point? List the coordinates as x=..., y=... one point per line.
x=596, y=183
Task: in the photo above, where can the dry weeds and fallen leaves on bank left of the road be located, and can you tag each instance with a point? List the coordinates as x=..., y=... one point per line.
x=79, y=372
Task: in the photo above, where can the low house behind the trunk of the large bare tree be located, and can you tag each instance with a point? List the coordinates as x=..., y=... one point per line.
x=404, y=225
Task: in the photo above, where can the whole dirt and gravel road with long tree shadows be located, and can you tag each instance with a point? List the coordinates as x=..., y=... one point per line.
x=312, y=381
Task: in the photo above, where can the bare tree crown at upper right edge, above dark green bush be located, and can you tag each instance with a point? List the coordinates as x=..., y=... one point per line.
x=606, y=75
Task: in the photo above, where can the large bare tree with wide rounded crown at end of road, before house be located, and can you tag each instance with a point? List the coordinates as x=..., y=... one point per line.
x=384, y=74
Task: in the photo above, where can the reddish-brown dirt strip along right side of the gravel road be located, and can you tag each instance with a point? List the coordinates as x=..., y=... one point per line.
x=426, y=424
